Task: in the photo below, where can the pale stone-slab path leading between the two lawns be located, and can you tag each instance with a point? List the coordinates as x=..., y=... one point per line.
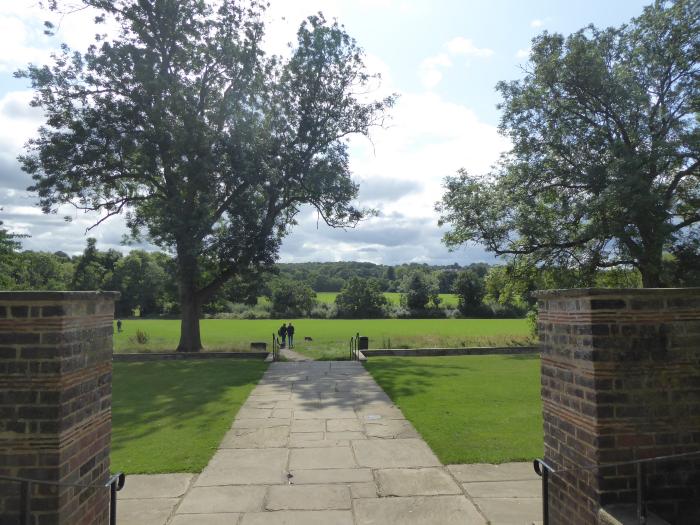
x=321, y=443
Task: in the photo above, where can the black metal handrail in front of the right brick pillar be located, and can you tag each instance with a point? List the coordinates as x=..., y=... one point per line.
x=548, y=473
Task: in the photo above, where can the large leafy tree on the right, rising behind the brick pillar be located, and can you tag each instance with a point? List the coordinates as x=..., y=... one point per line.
x=605, y=164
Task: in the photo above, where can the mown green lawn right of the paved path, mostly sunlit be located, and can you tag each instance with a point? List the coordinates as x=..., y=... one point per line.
x=469, y=409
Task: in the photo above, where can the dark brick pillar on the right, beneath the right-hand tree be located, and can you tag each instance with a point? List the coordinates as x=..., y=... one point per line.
x=621, y=381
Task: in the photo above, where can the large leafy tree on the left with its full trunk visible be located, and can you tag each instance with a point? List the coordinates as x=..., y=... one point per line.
x=208, y=145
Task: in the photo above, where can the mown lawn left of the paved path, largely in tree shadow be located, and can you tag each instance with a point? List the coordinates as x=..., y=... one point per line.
x=170, y=416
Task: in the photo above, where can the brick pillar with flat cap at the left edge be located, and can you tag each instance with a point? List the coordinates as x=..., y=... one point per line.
x=55, y=403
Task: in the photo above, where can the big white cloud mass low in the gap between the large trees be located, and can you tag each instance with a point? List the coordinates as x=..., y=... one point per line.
x=400, y=173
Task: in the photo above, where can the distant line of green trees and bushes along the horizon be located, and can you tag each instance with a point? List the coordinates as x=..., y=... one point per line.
x=148, y=284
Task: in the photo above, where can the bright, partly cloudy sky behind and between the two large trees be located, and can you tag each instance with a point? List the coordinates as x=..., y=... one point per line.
x=442, y=57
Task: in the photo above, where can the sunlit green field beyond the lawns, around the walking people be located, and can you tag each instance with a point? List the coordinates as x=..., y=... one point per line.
x=330, y=337
